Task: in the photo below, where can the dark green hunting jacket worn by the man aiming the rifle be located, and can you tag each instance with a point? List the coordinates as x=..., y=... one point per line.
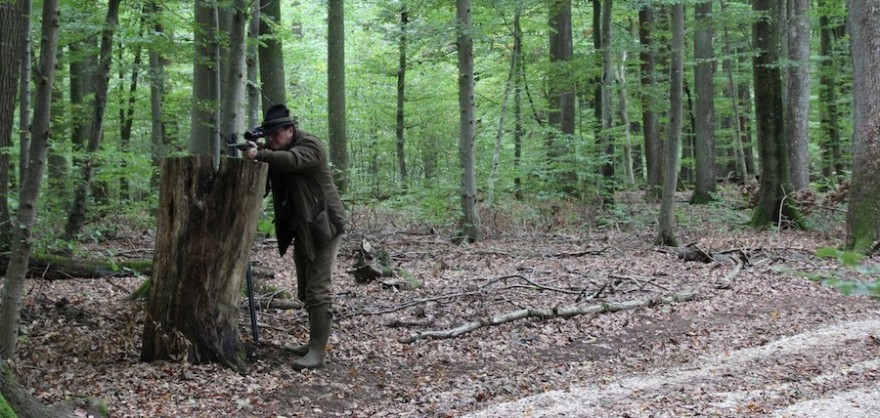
x=306, y=202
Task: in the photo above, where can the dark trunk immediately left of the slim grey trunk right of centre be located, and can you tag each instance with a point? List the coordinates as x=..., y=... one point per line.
x=650, y=122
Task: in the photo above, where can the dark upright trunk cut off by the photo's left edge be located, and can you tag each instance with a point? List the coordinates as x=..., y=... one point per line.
x=10, y=48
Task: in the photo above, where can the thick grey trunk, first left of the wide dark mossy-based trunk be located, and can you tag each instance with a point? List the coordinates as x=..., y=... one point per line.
x=704, y=140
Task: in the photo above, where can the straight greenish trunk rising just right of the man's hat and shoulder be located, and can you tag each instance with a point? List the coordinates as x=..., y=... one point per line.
x=336, y=92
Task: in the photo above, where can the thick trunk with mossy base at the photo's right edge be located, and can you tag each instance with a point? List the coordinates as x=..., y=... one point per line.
x=863, y=214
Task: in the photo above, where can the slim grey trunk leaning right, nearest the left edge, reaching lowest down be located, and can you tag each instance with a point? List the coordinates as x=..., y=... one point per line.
x=29, y=192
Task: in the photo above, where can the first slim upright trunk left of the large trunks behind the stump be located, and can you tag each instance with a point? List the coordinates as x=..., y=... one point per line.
x=157, y=92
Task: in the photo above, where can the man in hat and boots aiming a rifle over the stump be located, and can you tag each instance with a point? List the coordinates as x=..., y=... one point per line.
x=309, y=213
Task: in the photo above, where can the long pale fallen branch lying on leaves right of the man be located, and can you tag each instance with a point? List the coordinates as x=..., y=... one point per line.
x=559, y=312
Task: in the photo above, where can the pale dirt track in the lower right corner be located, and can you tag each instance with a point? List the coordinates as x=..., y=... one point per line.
x=732, y=381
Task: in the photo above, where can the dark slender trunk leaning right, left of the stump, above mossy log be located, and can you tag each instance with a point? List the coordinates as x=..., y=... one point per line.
x=79, y=208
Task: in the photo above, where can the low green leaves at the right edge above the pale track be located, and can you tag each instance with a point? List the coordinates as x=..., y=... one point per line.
x=853, y=278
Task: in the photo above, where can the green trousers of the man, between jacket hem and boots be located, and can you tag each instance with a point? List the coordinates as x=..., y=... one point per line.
x=313, y=277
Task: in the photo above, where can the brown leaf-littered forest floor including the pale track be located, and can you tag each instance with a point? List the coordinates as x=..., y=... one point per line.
x=746, y=339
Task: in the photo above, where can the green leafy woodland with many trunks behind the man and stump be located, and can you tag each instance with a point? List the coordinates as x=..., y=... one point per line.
x=544, y=111
